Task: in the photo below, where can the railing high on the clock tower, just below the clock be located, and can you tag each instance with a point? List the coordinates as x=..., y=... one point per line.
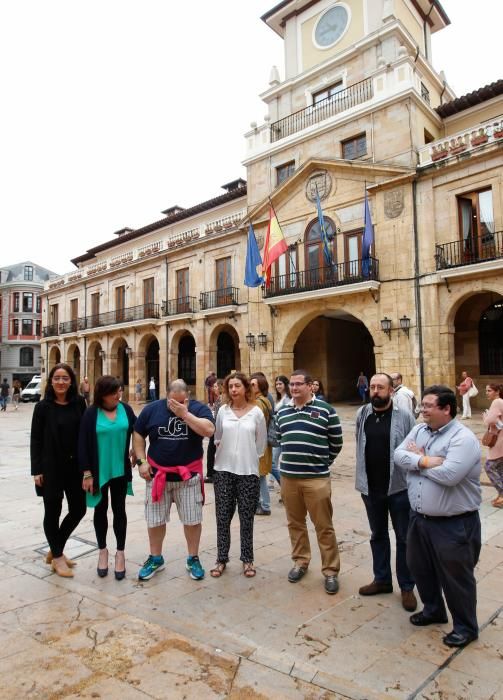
x=340, y=102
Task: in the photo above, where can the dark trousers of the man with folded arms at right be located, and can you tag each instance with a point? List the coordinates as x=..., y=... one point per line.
x=442, y=555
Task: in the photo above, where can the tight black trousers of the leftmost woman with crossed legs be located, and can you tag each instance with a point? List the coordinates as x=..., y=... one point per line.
x=57, y=534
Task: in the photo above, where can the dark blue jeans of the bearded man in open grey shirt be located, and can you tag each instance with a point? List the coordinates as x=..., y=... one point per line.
x=398, y=507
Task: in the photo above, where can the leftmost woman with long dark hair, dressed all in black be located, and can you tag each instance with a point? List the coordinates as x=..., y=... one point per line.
x=54, y=465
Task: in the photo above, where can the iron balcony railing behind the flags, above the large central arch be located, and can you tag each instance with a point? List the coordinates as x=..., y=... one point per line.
x=350, y=272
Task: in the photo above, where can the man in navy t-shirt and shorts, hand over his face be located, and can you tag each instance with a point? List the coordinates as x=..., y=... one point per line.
x=172, y=471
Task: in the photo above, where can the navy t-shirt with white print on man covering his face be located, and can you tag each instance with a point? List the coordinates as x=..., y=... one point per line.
x=171, y=441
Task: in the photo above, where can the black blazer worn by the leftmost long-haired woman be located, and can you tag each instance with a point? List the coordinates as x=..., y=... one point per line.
x=45, y=443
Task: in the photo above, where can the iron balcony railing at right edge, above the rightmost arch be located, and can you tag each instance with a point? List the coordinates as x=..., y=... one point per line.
x=469, y=251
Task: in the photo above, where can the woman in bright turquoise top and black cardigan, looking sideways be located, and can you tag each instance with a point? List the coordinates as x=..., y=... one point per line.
x=105, y=462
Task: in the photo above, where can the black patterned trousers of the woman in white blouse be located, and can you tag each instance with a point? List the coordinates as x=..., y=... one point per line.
x=231, y=490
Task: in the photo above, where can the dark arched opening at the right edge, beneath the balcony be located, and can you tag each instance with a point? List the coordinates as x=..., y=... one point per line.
x=478, y=349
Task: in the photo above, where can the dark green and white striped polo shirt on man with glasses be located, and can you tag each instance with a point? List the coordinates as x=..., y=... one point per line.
x=311, y=438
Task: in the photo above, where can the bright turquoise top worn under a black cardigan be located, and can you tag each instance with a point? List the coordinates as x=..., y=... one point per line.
x=111, y=435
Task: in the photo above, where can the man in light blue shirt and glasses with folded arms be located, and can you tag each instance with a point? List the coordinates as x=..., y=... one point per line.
x=442, y=460
